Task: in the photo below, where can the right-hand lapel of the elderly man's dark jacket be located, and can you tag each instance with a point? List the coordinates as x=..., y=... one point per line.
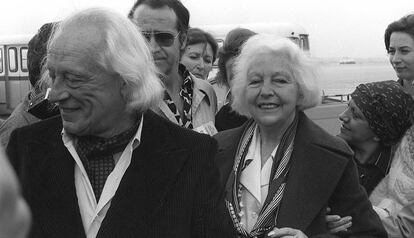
x=153, y=170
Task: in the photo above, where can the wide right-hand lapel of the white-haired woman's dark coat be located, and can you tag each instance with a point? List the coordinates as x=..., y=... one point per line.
x=303, y=197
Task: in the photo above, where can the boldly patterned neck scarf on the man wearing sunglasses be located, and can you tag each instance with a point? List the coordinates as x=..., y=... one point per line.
x=186, y=93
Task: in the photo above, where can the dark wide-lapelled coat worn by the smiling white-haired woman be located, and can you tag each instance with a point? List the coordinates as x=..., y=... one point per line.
x=322, y=174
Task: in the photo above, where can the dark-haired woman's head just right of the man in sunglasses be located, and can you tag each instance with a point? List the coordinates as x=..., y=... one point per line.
x=200, y=53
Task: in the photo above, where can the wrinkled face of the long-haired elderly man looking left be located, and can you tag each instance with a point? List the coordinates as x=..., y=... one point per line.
x=89, y=99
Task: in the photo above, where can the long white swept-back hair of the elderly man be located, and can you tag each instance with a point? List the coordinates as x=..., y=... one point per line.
x=124, y=53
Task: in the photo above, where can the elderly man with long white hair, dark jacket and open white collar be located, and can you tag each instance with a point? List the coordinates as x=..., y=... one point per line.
x=109, y=167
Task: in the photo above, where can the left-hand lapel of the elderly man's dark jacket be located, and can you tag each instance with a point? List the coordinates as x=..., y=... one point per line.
x=58, y=196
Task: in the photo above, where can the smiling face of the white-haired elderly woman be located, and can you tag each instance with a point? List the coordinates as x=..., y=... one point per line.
x=271, y=91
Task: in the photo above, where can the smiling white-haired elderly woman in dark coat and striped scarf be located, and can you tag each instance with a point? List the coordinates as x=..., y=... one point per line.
x=280, y=170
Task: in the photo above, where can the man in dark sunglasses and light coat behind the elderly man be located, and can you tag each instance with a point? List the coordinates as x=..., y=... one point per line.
x=189, y=102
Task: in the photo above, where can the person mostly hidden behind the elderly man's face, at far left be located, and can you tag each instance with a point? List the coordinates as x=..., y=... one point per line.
x=34, y=107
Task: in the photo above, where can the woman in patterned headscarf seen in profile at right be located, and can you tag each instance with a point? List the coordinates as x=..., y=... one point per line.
x=376, y=119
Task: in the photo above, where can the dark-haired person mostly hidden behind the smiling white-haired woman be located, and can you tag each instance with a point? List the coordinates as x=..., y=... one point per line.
x=226, y=118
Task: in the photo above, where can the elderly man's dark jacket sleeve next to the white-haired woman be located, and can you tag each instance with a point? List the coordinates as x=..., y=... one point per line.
x=210, y=217
